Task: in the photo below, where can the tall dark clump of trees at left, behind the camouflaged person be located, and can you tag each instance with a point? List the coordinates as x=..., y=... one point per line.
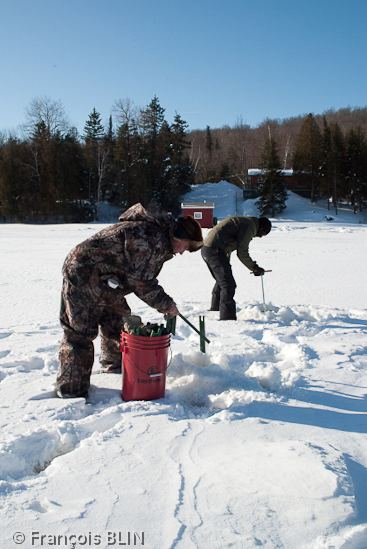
x=52, y=173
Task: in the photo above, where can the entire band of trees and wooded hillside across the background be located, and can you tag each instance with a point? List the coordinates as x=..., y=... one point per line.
x=53, y=173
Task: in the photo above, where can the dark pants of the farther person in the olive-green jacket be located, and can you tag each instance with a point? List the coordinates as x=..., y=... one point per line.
x=225, y=285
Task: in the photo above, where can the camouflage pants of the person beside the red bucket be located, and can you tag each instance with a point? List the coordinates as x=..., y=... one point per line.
x=82, y=316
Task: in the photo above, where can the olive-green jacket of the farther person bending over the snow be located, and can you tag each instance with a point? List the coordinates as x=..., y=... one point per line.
x=234, y=233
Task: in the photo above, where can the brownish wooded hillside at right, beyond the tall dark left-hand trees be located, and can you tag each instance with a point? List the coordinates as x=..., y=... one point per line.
x=328, y=153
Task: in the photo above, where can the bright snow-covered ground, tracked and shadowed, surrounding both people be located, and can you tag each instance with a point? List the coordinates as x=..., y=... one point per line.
x=260, y=442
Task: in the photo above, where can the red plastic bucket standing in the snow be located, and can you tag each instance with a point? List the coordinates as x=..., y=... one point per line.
x=144, y=365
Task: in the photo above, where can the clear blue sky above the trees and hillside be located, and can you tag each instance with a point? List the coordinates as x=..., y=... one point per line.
x=214, y=62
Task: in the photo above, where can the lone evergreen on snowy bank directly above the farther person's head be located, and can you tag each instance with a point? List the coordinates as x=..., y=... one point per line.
x=271, y=190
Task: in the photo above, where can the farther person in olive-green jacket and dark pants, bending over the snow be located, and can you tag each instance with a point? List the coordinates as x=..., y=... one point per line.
x=233, y=233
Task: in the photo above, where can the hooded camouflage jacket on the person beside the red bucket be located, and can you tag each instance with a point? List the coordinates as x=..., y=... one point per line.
x=131, y=252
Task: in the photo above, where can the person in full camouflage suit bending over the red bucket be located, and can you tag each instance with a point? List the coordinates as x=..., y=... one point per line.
x=97, y=275
